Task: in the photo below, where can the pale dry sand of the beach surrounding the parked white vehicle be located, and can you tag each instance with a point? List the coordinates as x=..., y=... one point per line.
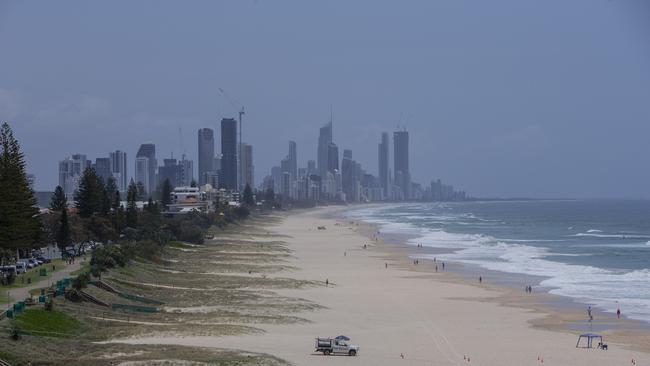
x=428, y=318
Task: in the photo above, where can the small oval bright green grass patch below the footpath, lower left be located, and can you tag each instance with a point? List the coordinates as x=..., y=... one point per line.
x=48, y=323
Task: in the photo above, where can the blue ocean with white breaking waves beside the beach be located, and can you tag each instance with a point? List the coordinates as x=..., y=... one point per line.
x=595, y=252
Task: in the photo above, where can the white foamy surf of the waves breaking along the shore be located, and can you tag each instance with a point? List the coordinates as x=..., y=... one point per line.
x=606, y=289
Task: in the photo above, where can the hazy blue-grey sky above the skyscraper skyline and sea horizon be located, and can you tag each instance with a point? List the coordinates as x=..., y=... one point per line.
x=501, y=98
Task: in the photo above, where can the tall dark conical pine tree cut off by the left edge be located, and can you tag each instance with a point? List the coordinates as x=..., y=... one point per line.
x=19, y=223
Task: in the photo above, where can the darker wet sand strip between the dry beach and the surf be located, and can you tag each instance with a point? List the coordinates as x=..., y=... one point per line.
x=559, y=313
